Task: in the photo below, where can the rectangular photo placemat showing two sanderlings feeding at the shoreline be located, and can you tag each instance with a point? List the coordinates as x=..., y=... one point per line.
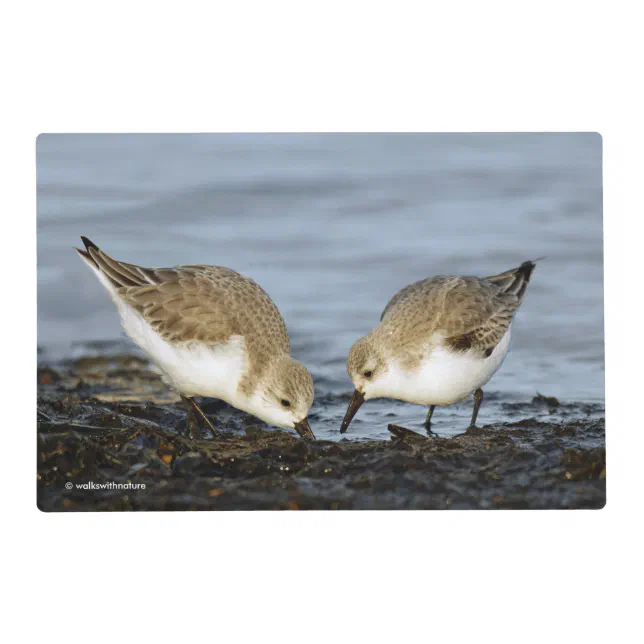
x=320, y=322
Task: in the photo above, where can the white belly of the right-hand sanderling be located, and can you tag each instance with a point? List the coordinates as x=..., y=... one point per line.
x=446, y=377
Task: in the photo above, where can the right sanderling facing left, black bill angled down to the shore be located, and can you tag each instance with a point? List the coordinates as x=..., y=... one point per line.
x=439, y=340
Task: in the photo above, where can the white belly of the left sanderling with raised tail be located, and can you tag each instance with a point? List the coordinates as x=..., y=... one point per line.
x=193, y=368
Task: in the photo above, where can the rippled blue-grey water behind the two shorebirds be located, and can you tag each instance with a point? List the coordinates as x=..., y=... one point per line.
x=332, y=226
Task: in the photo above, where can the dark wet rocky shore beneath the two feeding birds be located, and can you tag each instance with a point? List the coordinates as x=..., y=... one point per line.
x=112, y=437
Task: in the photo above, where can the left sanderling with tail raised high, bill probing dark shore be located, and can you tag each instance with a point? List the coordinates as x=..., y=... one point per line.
x=212, y=332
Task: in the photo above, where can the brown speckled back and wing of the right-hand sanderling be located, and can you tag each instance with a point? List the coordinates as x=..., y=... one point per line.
x=467, y=312
